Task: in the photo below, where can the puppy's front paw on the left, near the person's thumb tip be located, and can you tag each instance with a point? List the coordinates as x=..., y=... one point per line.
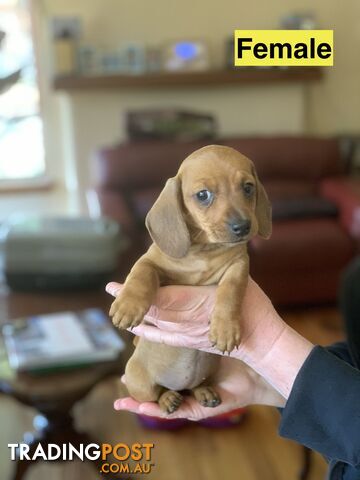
x=127, y=312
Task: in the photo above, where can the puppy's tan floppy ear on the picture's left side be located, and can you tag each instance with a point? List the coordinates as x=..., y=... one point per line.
x=165, y=221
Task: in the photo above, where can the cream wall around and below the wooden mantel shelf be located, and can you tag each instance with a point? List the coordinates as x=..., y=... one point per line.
x=333, y=105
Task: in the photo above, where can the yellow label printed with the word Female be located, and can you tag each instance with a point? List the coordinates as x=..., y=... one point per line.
x=284, y=48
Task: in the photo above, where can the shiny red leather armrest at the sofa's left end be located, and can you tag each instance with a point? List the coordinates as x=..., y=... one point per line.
x=112, y=204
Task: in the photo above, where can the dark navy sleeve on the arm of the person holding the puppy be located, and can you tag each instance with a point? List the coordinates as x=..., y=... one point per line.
x=323, y=410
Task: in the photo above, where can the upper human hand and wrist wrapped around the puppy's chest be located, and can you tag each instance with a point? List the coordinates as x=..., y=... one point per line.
x=180, y=317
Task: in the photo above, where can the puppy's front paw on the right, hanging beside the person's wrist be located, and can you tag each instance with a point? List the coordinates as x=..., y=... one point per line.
x=224, y=334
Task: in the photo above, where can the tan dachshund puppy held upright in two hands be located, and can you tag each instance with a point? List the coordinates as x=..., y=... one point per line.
x=200, y=225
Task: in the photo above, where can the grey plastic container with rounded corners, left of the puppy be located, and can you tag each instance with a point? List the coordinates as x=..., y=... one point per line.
x=59, y=252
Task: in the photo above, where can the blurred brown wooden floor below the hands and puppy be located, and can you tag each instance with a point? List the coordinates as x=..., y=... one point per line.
x=250, y=451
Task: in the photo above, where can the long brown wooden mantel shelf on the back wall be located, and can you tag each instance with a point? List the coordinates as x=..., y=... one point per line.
x=214, y=78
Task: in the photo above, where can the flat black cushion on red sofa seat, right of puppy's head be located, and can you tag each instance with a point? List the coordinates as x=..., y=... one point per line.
x=307, y=207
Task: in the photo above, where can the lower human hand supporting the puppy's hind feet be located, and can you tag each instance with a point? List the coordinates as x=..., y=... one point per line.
x=237, y=384
